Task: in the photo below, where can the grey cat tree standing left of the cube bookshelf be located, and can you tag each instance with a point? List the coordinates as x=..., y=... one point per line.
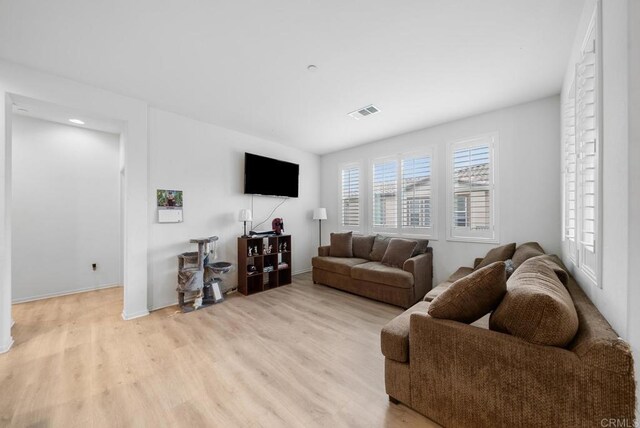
x=197, y=275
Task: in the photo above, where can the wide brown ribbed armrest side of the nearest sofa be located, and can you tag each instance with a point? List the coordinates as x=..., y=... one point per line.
x=494, y=377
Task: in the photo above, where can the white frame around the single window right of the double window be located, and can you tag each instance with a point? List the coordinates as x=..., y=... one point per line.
x=459, y=235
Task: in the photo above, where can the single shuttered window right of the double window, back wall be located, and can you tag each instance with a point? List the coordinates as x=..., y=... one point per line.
x=471, y=189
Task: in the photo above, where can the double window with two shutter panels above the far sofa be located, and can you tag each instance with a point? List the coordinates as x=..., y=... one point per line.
x=401, y=195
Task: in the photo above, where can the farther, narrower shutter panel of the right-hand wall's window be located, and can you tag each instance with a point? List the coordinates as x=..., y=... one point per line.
x=570, y=172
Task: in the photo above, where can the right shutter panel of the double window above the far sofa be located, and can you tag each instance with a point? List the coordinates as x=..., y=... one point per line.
x=416, y=192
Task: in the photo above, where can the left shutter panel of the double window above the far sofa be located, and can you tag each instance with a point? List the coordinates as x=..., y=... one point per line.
x=385, y=194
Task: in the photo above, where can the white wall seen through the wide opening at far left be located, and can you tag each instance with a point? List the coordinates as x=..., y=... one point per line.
x=66, y=209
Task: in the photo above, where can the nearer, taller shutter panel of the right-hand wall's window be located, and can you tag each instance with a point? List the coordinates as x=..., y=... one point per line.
x=587, y=142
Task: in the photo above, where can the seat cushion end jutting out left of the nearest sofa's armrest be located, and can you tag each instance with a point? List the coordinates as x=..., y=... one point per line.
x=394, y=337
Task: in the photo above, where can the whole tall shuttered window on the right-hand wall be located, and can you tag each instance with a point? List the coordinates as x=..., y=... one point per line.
x=581, y=161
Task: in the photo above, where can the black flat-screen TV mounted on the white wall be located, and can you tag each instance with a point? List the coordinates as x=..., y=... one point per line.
x=267, y=176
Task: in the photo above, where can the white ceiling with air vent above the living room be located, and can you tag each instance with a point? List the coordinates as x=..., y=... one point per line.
x=243, y=64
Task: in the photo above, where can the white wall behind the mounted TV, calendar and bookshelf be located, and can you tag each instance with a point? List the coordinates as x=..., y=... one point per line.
x=207, y=163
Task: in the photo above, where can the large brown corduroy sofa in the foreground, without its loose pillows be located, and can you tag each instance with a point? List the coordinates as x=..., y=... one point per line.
x=461, y=374
